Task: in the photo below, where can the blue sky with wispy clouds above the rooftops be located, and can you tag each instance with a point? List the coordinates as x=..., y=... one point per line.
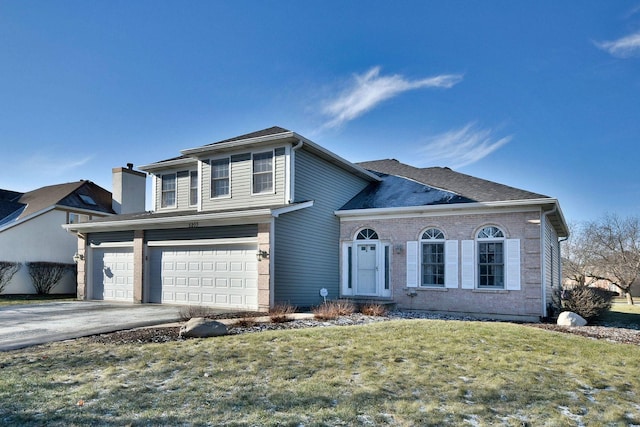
x=542, y=95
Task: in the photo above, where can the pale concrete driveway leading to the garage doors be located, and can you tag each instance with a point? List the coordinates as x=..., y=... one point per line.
x=27, y=325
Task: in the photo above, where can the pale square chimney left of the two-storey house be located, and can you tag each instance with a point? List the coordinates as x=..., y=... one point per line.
x=129, y=187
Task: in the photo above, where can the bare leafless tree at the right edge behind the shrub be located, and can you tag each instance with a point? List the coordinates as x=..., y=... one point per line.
x=614, y=251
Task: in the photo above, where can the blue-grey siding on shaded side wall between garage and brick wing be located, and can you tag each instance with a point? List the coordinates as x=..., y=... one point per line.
x=307, y=241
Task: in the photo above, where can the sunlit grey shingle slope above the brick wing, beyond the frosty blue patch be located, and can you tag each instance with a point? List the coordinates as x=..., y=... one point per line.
x=466, y=186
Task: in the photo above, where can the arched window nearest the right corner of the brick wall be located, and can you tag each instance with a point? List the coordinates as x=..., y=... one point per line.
x=491, y=258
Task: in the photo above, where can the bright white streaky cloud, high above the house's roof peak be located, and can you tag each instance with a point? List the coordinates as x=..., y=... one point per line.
x=370, y=89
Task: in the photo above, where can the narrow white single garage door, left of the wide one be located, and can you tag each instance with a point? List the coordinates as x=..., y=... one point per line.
x=112, y=274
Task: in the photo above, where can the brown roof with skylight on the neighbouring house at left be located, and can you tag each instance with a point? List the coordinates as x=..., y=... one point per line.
x=79, y=195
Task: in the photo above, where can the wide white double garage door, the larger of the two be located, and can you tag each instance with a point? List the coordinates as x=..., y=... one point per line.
x=223, y=276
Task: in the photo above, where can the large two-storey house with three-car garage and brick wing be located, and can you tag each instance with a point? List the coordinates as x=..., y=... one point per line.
x=271, y=217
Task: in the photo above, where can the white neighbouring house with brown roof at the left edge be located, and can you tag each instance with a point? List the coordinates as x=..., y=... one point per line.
x=30, y=226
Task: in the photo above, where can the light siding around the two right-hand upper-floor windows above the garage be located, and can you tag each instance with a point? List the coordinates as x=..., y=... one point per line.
x=241, y=177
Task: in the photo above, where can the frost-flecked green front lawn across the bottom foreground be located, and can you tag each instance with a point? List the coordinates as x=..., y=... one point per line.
x=404, y=373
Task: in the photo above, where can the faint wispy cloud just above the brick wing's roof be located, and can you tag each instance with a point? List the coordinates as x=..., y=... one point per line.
x=461, y=147
